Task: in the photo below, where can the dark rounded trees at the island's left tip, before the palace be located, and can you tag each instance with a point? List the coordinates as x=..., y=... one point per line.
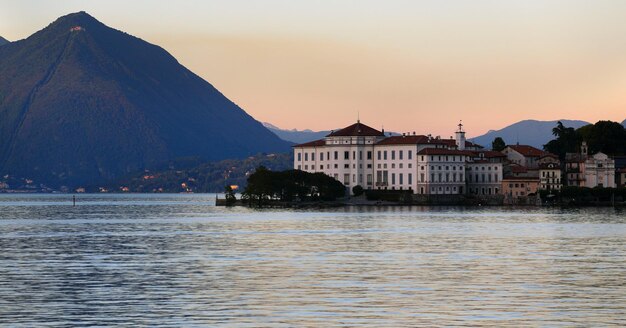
x=291, y=185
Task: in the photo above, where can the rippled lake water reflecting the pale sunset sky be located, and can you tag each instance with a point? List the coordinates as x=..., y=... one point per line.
x=176, y=260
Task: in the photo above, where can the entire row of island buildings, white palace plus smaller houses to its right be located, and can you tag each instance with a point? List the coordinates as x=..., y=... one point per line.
x=427, y=165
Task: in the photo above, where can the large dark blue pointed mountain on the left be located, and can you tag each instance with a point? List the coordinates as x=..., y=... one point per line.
x=81, y=103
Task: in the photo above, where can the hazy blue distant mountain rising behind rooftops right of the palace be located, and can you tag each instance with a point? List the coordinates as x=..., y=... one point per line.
x=528, y=132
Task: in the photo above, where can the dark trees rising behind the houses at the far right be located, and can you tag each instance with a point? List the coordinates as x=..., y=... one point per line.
x=604, y=136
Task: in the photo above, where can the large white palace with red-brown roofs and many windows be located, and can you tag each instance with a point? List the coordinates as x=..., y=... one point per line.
x=361, y=155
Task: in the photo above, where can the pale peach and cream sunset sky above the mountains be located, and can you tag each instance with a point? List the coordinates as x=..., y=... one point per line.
x=402, y=65
